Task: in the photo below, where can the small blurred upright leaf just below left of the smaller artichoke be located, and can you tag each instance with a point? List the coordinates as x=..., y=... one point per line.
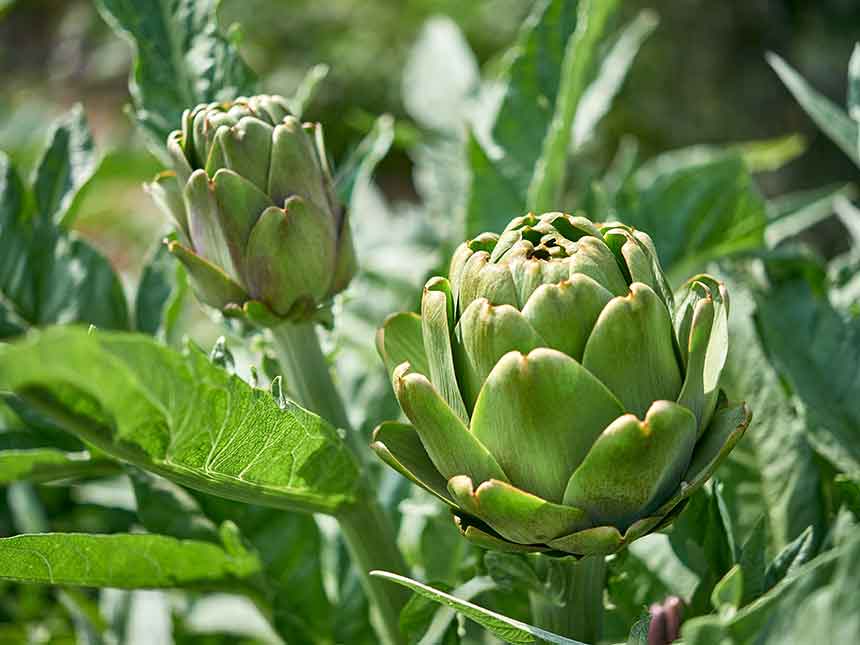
x=161, y=296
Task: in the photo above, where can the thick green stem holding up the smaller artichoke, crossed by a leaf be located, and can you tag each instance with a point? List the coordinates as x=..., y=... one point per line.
x=367, y=530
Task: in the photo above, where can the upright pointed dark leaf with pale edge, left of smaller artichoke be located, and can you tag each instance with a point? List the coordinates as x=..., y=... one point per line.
x=67, y=164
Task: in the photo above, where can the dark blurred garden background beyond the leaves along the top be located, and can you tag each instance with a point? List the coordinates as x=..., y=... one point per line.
x=701, y=78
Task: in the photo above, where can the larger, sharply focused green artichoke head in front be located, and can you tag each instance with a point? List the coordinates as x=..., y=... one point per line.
x=559, y=400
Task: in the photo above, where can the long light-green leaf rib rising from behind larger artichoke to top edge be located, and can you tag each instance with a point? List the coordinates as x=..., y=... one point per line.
x=547, y=183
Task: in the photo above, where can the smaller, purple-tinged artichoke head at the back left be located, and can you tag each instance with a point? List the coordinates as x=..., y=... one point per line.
x=258, y=224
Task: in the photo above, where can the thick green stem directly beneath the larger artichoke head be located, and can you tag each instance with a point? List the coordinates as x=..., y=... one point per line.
x=573, y=605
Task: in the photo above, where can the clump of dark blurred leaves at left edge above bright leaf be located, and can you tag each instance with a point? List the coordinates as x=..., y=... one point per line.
x=41, y=262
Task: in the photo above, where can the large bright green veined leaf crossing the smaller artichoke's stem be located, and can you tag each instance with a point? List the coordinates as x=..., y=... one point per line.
x=181, y=417
